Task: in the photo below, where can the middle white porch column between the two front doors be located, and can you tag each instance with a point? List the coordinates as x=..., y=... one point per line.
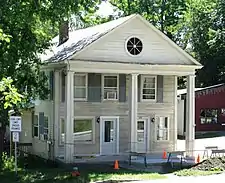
x=133, y=106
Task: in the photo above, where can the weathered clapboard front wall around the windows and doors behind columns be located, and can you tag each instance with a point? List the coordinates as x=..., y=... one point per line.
x=121, y=109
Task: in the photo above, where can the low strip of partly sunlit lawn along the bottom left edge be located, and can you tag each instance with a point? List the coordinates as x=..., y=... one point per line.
x=60, y=175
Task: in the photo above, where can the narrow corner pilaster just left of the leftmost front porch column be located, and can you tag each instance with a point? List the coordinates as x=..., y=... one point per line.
x=56, y=111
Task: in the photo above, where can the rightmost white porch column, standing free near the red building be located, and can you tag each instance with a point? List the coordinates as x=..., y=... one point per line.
x=190, y=115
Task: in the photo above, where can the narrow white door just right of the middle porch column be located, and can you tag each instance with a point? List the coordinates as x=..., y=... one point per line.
x=142, y=135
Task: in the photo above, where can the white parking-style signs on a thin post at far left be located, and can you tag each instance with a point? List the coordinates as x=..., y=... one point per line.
x=15, y=128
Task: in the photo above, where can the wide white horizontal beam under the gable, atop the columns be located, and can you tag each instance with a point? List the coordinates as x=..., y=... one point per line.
x=127, y=68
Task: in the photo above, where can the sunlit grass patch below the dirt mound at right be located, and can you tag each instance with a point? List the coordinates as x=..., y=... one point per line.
x=192, y=172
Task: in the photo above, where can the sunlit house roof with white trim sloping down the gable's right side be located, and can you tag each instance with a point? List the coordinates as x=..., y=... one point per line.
x=80, y=40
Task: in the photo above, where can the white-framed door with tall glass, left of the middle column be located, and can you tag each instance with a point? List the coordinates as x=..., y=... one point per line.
x=109, y=135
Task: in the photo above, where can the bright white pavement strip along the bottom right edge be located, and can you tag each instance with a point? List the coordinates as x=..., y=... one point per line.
x=175, y=179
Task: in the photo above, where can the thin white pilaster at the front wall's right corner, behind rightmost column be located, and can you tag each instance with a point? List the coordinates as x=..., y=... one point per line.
x=175, y=114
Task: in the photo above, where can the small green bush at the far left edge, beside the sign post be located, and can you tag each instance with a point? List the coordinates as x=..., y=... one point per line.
x=7, y=163
